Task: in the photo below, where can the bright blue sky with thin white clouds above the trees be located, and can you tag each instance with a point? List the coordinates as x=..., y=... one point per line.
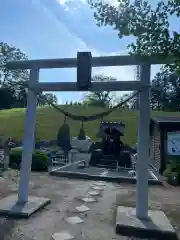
x=55, y=29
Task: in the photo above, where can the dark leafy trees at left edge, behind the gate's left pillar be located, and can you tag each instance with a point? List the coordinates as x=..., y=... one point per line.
x=13, y=93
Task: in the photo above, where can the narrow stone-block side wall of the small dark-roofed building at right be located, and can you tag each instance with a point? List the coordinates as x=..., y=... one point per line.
x=155, y=155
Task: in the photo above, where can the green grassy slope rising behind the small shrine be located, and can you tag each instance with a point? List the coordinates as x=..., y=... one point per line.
x=49, y=121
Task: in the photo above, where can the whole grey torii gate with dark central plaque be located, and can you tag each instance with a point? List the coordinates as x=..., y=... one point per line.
x=84, y=62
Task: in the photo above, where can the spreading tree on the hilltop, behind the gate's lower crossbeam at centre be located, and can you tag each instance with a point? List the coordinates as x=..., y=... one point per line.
x=100, y=99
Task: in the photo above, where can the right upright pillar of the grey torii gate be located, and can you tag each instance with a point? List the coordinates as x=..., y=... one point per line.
x=143, y=146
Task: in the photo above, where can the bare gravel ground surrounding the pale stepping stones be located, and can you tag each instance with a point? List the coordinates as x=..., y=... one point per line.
x=65, y=195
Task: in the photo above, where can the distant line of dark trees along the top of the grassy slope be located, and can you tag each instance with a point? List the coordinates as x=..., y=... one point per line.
x=165, y=90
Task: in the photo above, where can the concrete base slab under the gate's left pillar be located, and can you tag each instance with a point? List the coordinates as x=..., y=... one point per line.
x=10, y=207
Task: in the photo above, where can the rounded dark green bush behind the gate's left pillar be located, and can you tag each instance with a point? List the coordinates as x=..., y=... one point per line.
x=39, y=159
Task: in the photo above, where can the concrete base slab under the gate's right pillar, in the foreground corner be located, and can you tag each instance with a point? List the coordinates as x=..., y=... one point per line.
x=157, y=226
